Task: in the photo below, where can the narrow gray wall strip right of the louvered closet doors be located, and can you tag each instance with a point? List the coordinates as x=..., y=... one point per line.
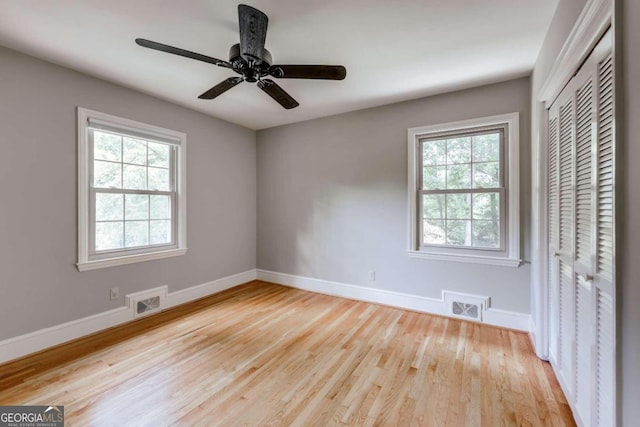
x=629, y=230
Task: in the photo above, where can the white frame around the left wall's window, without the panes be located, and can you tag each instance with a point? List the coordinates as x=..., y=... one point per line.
x=88, y=119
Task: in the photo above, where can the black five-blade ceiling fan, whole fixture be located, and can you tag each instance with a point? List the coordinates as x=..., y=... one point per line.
x=253, y=62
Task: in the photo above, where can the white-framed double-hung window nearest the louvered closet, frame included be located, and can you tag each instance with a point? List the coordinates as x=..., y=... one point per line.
x=463, y=191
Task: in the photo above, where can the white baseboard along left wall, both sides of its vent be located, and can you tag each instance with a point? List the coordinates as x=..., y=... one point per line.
x=22, y=345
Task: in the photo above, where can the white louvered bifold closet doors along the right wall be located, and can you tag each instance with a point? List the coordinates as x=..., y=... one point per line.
x=581, y=239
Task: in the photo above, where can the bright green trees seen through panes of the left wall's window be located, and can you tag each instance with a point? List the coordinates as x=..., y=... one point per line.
x=133, y=192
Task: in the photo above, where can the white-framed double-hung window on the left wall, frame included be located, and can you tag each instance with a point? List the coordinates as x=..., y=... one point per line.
x=131, y=191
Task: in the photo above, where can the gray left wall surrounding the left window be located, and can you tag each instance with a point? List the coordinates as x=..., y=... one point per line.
x=39, y=283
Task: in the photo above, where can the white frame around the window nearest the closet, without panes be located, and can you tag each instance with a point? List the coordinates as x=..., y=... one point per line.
x=510, y=255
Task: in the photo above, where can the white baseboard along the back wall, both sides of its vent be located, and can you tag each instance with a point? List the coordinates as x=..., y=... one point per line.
x=491, y=316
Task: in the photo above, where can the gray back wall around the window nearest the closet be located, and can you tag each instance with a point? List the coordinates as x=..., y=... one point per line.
x=332, y=198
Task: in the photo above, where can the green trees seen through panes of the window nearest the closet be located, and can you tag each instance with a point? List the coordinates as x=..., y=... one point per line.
x=462, y=189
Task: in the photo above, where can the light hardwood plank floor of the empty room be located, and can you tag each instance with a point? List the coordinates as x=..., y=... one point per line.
x=263, y=354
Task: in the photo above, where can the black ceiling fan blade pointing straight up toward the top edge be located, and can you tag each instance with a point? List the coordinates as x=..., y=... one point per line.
x=253, y=33
